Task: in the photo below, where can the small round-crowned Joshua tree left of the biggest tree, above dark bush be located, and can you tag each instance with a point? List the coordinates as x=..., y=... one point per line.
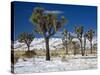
x=26, y=38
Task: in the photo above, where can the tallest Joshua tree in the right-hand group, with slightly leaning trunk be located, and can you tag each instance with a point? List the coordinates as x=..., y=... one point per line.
x=79, y=32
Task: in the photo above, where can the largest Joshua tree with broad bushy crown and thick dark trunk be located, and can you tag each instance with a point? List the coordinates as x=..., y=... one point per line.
x=46, y=24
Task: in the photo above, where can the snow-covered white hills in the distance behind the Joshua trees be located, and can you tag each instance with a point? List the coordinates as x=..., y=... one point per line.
x=39, y=44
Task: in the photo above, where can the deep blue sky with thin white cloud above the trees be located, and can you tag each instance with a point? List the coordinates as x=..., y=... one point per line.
x=75, y=14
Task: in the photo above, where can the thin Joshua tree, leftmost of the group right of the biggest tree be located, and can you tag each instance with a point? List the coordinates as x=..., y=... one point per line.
x=65, y=40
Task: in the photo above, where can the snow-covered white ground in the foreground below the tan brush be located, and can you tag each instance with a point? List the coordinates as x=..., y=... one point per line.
x=38, y=64
